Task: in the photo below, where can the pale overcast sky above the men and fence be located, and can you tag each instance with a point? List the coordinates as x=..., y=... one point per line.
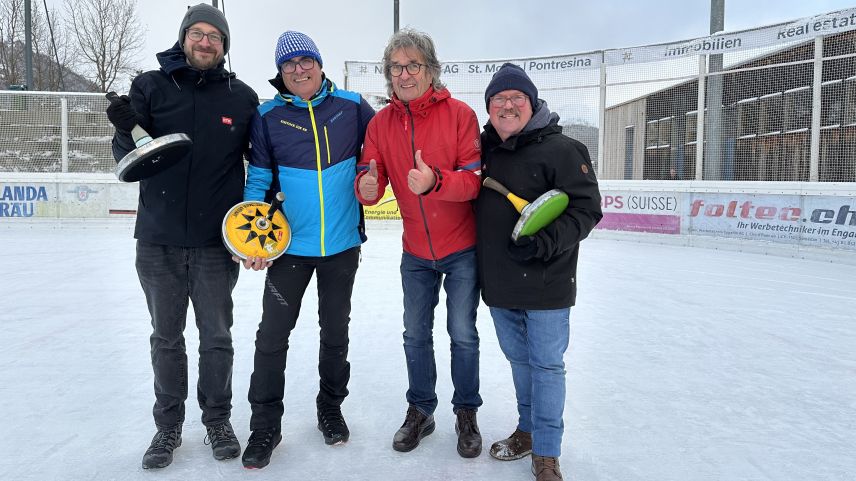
x=462, y=29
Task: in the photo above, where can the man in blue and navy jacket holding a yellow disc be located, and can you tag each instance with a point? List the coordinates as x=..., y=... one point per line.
x=306, y=142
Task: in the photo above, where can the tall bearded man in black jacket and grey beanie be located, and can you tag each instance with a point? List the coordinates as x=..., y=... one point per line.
x=180, y=254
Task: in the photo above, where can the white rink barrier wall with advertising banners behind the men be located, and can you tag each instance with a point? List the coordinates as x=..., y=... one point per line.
x=797, y=219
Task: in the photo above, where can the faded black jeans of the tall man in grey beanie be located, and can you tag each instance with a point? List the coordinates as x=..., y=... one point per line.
x=172, y=276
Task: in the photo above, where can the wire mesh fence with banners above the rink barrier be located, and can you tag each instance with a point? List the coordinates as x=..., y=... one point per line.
x=778, y=104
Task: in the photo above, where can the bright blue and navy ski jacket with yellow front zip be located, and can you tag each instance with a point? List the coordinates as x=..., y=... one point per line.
x=313, y=147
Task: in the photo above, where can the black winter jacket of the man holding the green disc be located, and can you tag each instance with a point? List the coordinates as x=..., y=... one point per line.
x=530, y=164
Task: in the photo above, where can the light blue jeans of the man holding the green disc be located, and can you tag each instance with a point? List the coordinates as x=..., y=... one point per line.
x=534, y=342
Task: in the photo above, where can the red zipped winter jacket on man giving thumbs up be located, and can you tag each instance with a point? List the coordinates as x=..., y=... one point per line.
x=440, y=222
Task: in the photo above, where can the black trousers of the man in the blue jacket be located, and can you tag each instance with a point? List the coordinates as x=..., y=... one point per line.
x=285, y=285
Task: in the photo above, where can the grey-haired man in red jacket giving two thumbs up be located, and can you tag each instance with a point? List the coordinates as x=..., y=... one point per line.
x=425, y=144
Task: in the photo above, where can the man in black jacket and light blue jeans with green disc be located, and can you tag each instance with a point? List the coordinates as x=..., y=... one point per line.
x=530, y=284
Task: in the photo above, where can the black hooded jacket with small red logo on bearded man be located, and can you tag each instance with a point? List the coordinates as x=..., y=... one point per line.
x=184, y=205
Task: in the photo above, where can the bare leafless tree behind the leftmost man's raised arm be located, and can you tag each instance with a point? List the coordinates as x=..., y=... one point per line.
x=109, y=36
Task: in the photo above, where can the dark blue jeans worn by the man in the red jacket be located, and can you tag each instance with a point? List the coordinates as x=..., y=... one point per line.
x=420, y=280
